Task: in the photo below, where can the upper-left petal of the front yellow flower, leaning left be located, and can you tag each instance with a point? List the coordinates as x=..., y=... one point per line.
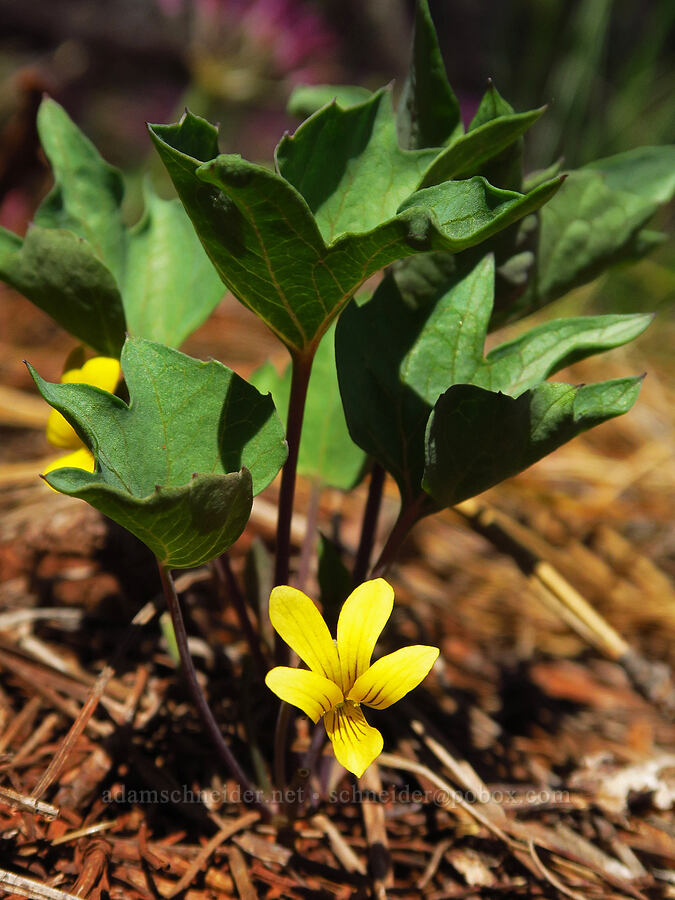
x=297, y=619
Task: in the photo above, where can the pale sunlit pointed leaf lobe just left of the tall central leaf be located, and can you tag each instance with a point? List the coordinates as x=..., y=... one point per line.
x=170, y=285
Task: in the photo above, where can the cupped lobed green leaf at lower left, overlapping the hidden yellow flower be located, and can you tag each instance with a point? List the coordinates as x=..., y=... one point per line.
x=184, y=417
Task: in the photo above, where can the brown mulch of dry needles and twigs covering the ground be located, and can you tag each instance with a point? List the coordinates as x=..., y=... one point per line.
x=534, y=762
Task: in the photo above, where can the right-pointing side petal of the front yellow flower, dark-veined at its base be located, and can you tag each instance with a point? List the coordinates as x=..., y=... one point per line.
x=392, y=676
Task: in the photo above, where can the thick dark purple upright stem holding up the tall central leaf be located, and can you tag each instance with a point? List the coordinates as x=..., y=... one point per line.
x=302, y=368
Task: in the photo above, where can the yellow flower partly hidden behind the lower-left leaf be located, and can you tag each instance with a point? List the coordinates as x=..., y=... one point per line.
x=102, y=372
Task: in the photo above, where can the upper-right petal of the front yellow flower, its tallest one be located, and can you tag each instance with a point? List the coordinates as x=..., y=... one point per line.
x=362, y=618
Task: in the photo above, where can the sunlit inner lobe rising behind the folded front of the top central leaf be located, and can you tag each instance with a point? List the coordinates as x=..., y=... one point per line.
x=348, y=166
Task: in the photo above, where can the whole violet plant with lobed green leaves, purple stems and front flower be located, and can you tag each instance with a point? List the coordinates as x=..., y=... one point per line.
x=394, y=383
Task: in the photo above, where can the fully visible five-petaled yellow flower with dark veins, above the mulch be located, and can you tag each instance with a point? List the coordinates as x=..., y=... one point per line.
x=340, y=676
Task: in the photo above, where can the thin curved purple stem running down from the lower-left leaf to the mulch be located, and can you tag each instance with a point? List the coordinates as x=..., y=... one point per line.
x=197, y=694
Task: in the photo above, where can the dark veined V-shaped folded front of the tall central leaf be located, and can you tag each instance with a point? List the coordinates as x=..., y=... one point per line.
x=267, y=246
